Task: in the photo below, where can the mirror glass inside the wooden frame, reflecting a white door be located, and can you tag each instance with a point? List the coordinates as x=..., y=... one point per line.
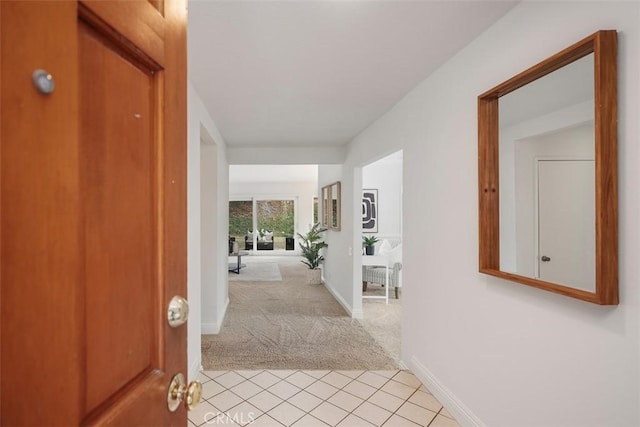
x=547, y=176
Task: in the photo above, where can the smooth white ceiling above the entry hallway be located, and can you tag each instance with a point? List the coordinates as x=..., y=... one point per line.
x=316, y=73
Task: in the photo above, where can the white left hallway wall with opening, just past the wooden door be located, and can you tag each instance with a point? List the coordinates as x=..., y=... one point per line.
x=202, y=131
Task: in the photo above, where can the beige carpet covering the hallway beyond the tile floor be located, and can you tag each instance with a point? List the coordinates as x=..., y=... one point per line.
x=289, y=325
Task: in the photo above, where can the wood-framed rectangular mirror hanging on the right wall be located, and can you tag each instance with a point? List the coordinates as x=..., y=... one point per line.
x=547, y=174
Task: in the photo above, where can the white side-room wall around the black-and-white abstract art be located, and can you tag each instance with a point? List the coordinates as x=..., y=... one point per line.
x=385, y=175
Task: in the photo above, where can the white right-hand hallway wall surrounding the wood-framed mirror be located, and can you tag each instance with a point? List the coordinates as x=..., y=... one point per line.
x=495, y=352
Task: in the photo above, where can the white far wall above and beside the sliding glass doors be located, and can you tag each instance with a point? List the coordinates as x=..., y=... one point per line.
x=303, y=191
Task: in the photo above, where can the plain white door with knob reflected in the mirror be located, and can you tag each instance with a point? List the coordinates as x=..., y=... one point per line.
x=566, y=222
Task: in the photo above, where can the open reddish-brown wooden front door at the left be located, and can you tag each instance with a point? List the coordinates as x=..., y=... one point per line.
x=92, y=211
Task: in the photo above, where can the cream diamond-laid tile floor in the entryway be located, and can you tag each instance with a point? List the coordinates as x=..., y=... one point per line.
x=277, y=398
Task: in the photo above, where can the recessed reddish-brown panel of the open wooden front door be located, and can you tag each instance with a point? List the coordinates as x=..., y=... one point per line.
x=118, y=187
